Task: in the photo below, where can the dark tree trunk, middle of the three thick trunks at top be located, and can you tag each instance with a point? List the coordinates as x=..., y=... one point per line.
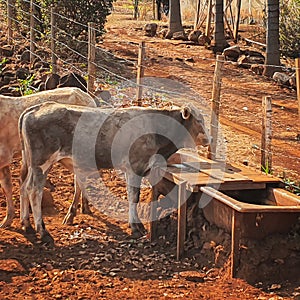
x=219, y=43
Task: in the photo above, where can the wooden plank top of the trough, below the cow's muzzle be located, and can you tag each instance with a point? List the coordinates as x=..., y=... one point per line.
x=199, y=171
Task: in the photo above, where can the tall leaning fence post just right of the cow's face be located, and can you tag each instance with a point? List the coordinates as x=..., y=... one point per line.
x=212, y=149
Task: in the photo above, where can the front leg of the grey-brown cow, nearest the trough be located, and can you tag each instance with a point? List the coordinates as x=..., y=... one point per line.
x=133, y=190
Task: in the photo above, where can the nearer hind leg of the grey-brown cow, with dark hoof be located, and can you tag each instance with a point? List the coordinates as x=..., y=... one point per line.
x=35, y=185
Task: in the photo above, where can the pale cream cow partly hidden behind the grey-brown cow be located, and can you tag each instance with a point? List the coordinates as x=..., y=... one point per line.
x=10, y=110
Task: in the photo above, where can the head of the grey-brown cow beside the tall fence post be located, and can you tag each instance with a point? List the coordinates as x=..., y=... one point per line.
x=194, y=122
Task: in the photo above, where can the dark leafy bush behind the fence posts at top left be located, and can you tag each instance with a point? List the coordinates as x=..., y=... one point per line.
x=72, y=16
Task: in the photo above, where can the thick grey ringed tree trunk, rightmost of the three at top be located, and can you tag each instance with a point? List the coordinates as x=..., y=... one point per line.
x=273, y=53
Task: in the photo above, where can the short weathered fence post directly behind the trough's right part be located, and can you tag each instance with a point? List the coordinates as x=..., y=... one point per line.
x=266, y=138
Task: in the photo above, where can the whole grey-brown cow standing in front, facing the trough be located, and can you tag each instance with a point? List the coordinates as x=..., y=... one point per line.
x=87, y=139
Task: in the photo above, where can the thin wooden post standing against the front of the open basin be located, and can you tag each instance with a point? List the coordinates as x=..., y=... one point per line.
x=235, y=241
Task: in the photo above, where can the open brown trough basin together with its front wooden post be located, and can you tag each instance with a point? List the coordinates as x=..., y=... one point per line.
x=251, y=214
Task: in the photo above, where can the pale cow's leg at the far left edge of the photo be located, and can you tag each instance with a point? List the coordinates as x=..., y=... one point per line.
x=6, y=184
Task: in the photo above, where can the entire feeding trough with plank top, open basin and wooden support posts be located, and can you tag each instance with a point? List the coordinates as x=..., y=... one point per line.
x=245, y=203
